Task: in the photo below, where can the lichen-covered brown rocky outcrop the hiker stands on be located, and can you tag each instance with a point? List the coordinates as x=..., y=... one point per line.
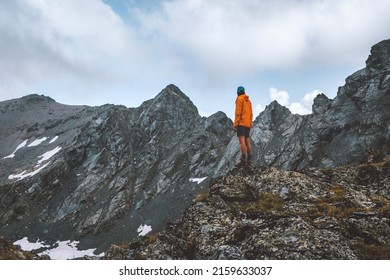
x=340, y=213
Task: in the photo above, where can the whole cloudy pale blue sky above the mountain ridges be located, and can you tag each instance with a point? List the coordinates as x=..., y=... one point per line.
x=94, y=52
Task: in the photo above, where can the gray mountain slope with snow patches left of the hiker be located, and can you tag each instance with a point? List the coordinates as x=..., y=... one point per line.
x=98, y=174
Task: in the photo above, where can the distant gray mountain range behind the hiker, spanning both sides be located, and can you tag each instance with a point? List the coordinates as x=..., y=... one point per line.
x=106, y=175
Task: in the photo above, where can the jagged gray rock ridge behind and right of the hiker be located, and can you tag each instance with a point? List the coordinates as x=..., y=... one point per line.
x=339, y=131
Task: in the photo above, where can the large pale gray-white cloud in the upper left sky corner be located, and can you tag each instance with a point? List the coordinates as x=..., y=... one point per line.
x=70, y=46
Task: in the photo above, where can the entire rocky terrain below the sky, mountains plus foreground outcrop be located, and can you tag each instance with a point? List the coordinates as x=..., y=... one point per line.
x=111, y=175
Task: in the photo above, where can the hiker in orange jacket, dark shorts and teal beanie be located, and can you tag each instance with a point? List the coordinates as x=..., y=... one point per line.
x=243, y=124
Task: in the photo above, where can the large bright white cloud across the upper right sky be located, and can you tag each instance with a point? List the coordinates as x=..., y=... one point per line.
x=232, y=37
